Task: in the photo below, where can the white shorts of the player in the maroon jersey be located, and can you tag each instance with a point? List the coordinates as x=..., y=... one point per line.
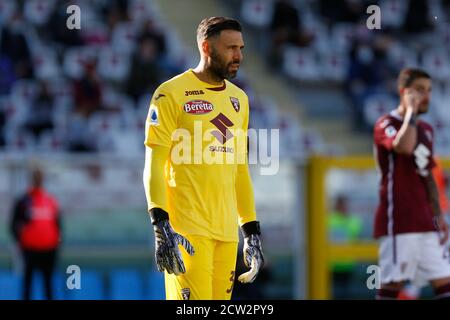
x=418, y=257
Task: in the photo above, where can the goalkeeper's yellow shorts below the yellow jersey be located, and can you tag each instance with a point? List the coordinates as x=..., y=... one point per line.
x=210, y=272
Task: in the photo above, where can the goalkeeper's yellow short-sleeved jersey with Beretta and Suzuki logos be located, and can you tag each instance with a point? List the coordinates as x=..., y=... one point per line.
x=205, y=127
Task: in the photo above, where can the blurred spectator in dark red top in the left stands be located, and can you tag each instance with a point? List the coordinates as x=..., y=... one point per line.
x=88, y=91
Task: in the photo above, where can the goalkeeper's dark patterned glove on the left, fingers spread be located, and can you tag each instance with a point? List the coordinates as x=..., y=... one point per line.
x=167, y=253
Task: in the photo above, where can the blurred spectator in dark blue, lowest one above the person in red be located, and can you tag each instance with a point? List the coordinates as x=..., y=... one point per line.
x=40, y=118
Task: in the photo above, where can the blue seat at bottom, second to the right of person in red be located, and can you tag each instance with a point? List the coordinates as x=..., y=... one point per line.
x=126, y=284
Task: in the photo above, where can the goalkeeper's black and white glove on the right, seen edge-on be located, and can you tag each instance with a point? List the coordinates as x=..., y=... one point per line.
x=253, y=257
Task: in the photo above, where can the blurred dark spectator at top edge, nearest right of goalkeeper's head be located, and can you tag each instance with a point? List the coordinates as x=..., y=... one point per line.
x=286, y=28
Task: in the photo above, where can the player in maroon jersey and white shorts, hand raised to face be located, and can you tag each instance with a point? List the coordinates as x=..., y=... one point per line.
x=408, y=222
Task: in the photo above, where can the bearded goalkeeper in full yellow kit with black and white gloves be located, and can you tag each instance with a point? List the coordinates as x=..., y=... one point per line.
x=198, y=199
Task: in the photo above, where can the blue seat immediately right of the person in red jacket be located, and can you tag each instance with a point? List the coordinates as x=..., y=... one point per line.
x=92, y=287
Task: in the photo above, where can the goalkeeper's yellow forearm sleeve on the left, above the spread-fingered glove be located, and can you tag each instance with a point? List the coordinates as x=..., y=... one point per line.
x=153, y=177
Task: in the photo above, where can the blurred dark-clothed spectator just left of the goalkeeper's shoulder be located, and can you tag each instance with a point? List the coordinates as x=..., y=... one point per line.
x=145, y=74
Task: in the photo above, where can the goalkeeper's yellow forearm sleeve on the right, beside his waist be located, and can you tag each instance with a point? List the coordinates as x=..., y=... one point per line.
x=244, y=195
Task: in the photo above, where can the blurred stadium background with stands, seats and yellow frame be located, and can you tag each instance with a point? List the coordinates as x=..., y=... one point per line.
x=75, y=102
